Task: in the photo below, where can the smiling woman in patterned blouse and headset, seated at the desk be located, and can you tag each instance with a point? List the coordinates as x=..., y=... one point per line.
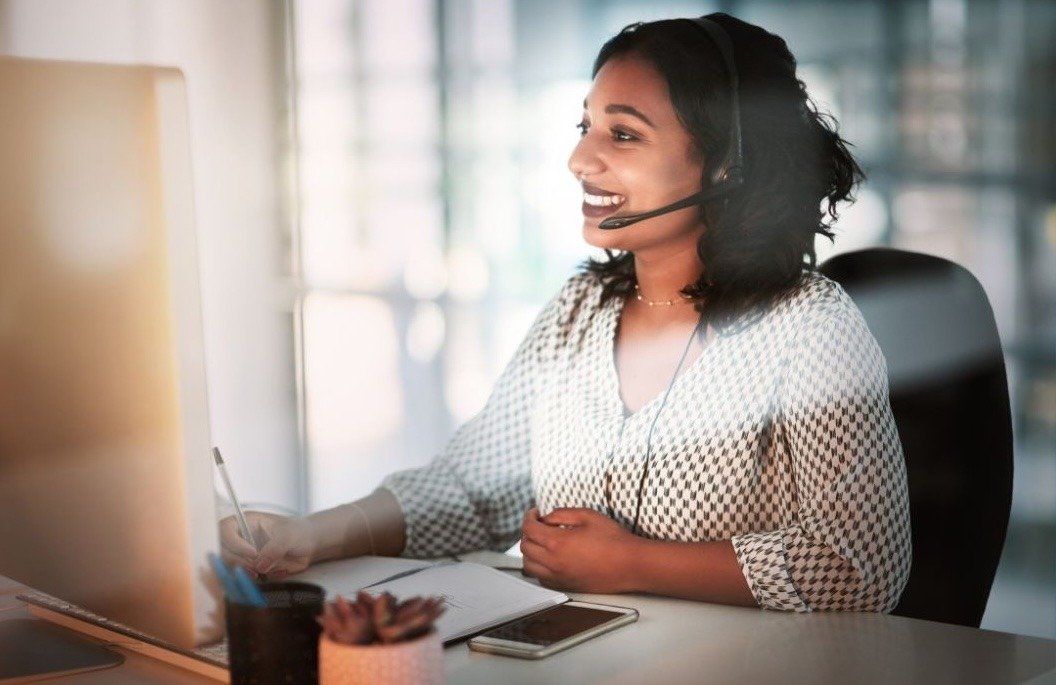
x=701, y=415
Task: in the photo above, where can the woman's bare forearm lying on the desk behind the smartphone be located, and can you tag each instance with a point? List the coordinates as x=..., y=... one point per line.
x=705, y=572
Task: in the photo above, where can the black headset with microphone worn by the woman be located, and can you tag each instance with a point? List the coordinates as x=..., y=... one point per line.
x=729, y=176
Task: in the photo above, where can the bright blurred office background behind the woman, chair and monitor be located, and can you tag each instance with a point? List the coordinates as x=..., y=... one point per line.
x=384, y=204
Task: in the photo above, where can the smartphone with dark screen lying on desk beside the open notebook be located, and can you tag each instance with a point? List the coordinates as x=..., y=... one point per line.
x=550, y=632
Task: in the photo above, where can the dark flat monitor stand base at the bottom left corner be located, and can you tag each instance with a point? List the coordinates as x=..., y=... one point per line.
x=33, y=650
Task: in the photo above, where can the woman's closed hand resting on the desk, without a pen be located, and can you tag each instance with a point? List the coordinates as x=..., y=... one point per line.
x=579, y=550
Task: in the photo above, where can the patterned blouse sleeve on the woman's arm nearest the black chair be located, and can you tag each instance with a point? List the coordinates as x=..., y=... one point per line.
x=847, y=544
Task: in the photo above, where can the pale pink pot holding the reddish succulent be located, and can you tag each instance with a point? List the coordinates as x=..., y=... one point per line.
x=418, y=662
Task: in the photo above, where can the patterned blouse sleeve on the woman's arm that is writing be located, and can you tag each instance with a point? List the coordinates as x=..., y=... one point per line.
x=474, y=496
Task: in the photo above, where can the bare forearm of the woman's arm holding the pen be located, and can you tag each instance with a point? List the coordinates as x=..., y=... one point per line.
x=373, y=525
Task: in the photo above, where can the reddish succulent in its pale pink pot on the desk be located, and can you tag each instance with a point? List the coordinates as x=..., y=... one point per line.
x=380, y=640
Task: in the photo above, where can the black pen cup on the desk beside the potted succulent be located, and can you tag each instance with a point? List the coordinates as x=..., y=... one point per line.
x=278, y=643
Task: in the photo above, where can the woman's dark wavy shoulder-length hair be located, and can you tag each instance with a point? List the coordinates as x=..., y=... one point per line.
x=761, y=238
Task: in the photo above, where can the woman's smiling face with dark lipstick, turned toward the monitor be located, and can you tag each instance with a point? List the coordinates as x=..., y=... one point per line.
x=635, y=157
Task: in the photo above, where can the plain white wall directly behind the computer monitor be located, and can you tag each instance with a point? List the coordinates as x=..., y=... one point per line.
x=231, y=54
